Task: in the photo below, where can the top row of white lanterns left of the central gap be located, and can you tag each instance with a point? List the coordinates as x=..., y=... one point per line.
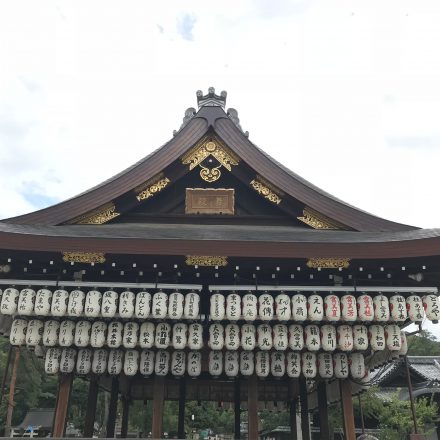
x=94, y=303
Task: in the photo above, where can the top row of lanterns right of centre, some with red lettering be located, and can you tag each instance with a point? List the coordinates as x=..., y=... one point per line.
x=330, y=307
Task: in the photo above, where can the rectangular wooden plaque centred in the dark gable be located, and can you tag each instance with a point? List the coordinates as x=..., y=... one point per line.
x=209, y=201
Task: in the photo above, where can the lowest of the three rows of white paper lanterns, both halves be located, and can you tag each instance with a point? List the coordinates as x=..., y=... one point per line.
x=231, y=363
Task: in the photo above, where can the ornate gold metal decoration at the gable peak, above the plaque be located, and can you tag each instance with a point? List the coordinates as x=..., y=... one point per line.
x=207, y=148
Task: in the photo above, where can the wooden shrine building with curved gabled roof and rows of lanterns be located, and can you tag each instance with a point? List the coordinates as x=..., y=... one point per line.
x=209, y=260
